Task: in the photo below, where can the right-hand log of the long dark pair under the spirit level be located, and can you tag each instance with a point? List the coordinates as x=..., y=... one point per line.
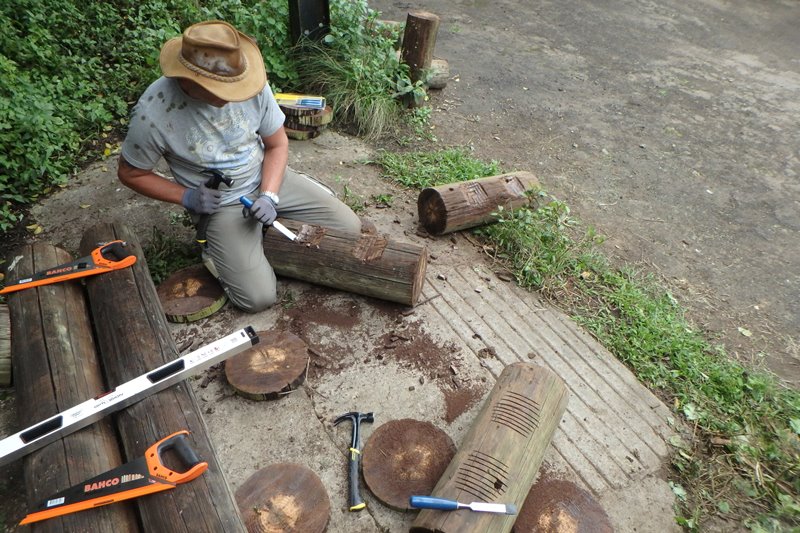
x=133, y=338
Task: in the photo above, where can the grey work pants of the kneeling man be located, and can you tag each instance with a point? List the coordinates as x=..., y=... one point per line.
x=235, y=252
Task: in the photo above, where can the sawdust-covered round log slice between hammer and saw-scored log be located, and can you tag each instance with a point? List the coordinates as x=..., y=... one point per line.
x=405, y=457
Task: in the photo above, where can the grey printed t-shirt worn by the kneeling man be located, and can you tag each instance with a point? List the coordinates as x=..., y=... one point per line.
x=193, y=136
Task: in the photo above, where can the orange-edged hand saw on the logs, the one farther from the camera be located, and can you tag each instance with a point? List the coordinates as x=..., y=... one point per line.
x=110, y=256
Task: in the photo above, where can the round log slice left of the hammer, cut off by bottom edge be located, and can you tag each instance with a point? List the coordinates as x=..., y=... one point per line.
x=284, y=498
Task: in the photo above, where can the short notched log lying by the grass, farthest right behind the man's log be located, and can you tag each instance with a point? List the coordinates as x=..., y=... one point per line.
x=458, y=206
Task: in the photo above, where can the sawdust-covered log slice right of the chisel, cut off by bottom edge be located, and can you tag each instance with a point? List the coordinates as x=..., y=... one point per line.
x=553, y=506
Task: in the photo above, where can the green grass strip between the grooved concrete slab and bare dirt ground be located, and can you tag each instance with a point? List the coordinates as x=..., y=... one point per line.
x=742, y=459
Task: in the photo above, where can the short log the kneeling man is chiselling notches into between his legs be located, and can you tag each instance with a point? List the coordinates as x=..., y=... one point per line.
x=363, y=263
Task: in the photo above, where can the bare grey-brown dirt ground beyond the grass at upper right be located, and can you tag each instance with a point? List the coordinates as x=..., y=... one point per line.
x=670, y=127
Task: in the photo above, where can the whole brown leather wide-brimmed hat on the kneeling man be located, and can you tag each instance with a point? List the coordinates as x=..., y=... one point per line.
x=218, y=57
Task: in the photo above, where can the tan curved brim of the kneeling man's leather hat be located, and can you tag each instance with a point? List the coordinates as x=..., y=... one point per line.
x=237, y=91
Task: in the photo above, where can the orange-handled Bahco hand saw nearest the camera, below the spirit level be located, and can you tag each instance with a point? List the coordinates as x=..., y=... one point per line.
x=145, y=475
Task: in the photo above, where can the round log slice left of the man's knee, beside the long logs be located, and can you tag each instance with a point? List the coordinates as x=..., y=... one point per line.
x=190, y=294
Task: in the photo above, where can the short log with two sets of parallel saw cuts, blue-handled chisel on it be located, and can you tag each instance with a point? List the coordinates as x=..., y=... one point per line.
x=501, y=452
